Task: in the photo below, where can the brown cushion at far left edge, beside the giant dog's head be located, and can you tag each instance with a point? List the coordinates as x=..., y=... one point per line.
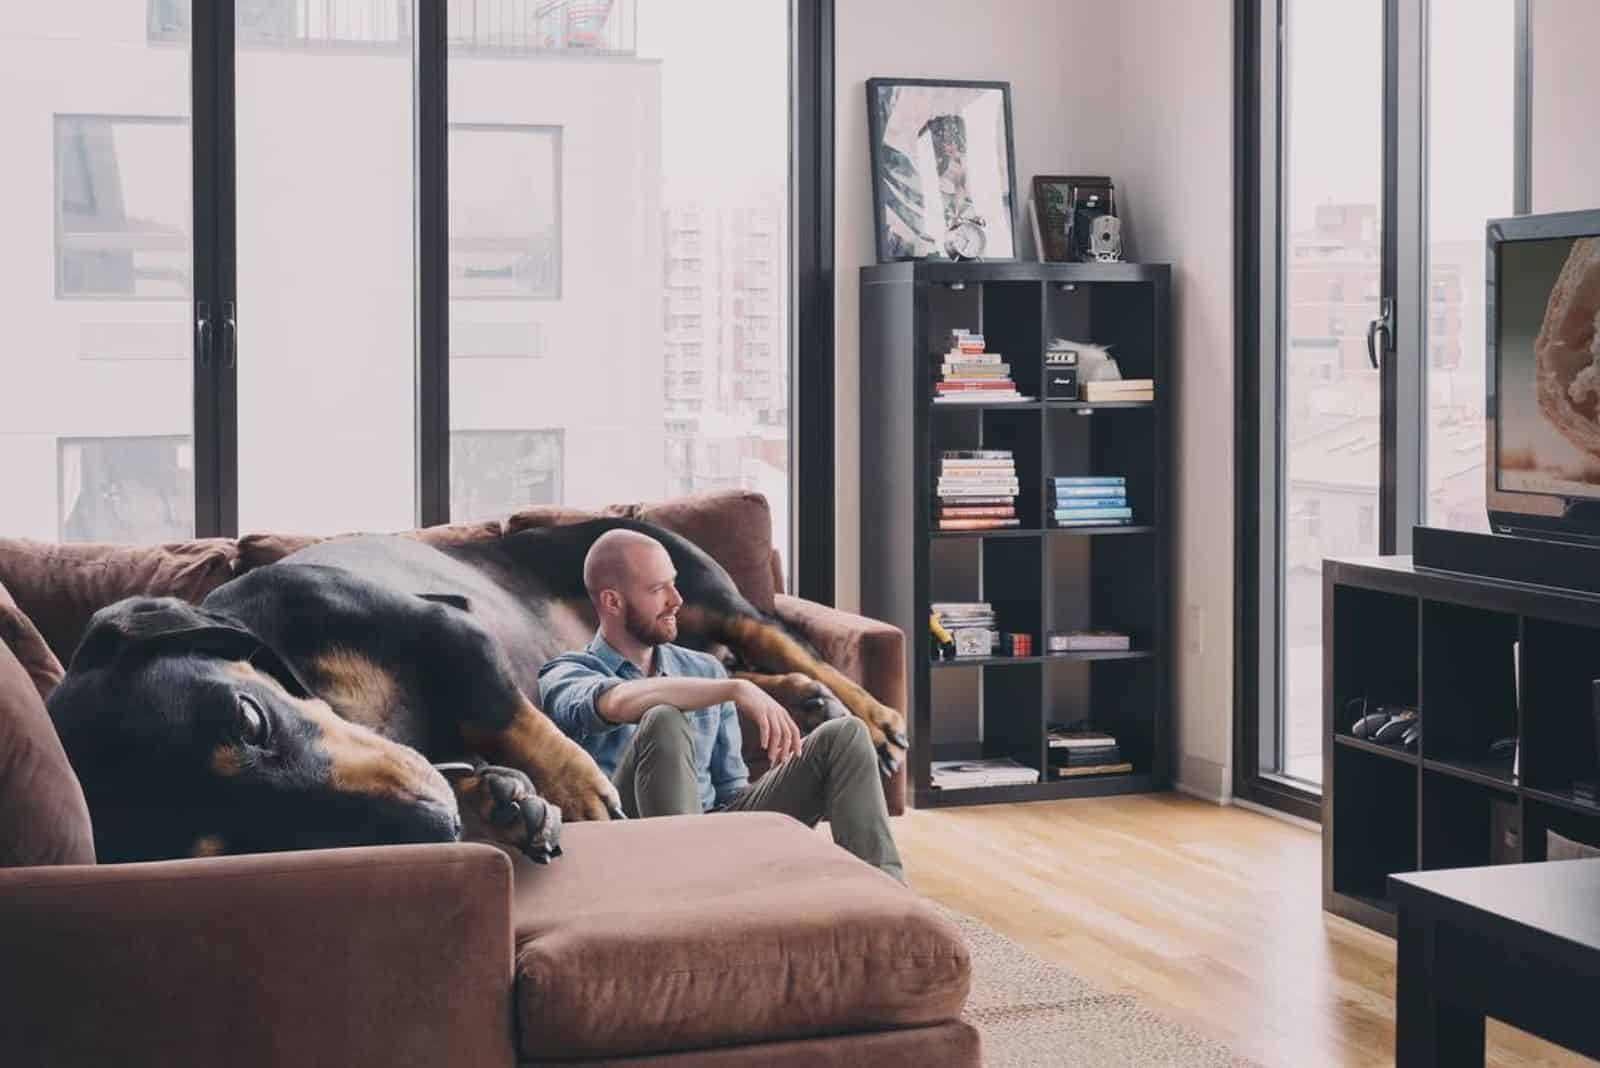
x=44, y=818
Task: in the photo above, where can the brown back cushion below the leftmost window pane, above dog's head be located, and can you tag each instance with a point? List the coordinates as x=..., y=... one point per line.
x=62, y=586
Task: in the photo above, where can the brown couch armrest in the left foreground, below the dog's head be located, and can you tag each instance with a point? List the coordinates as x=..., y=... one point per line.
x=398, y=955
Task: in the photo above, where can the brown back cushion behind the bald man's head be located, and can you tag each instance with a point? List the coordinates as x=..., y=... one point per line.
x=734, y=527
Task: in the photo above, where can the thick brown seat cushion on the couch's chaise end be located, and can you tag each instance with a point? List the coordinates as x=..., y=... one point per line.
x=695, y=931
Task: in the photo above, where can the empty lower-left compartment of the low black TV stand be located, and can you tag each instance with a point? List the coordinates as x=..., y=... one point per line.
x=1374, y=819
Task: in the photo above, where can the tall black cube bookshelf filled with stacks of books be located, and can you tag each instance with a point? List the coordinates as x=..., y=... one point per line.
x=1039, y=578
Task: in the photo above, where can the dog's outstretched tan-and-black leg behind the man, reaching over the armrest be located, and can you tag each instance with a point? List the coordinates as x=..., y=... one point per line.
x=767, y=647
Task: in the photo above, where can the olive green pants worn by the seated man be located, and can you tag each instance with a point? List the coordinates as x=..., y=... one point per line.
x=833, y=778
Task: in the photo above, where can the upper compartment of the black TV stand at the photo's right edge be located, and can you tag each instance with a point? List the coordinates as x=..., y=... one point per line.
x=1561, y=666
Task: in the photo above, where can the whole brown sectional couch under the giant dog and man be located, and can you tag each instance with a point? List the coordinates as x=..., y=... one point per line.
x=697, y=941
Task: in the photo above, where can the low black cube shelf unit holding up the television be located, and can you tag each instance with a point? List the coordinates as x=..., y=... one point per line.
x=1444, y=644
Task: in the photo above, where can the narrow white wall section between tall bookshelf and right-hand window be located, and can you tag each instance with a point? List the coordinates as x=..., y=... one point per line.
x=1175, y=180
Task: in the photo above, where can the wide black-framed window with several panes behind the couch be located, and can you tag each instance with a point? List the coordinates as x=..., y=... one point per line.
x=247, y=268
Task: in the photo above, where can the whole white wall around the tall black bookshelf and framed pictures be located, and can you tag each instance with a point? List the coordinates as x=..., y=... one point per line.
x=1140, y=90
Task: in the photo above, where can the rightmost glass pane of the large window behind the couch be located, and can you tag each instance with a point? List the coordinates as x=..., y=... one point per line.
x=647, y=204
